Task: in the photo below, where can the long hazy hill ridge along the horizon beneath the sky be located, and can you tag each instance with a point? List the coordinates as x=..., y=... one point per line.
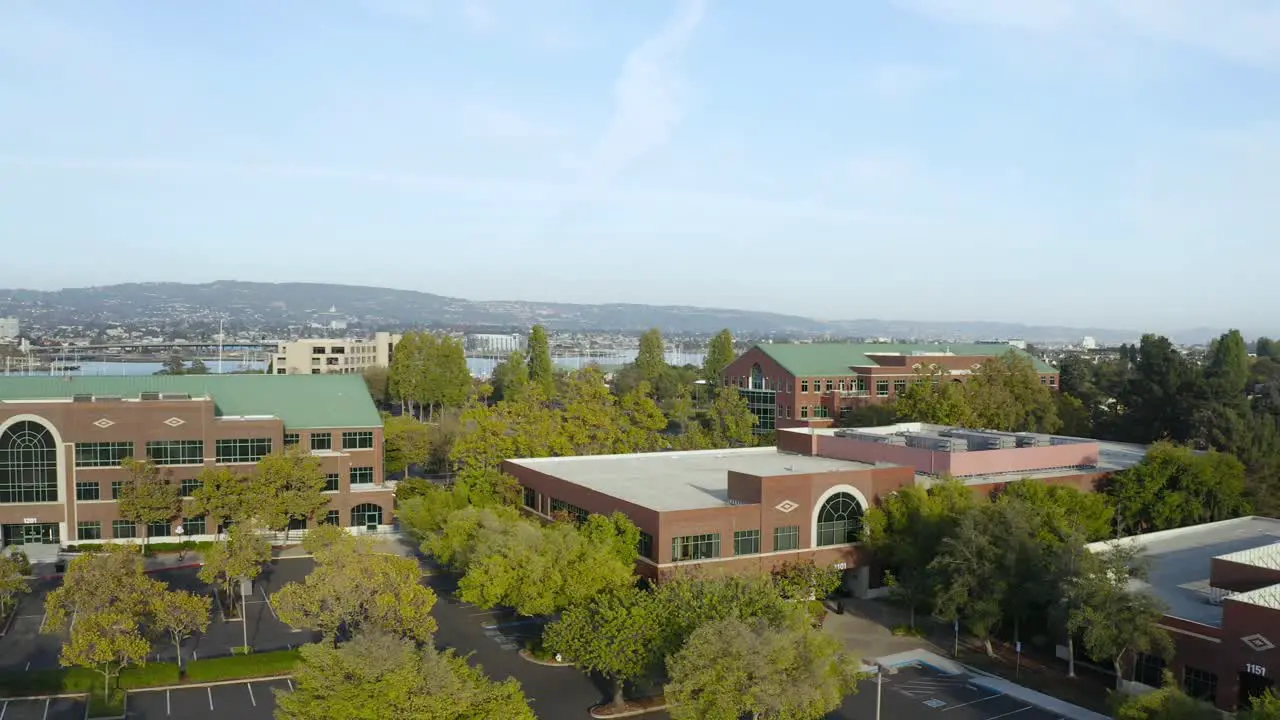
x=284, y=304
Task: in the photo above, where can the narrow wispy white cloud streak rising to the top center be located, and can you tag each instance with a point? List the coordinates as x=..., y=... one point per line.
x=648, y=103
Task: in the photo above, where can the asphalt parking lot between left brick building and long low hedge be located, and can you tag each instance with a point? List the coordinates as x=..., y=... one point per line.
x=24, y=648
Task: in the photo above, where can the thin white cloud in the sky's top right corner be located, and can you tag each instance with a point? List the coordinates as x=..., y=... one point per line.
x=1245, y=31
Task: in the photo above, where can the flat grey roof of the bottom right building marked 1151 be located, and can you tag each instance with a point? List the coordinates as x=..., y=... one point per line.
x=1181, y=563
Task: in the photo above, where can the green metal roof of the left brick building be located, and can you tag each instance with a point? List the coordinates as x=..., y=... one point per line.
x=301, y=402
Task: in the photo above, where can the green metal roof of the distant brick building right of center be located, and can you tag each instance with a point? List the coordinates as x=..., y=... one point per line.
x=835, y=358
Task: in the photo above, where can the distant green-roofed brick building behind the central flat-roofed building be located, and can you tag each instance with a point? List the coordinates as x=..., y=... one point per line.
x=796, y=385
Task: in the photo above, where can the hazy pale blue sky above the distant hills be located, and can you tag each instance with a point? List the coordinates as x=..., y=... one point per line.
x=1078, y=162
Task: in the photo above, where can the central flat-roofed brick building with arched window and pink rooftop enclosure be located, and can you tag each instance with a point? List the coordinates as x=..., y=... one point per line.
x=806, y=500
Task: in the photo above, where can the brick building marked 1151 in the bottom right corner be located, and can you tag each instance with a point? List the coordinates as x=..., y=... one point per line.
x=1220, y=584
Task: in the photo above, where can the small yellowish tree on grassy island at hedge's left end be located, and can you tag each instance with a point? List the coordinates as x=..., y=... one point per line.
x=107, y=641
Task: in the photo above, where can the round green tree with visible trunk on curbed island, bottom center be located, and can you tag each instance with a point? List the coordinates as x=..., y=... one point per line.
x=614, y=634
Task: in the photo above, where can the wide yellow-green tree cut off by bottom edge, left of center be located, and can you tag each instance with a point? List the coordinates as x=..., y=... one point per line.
x=380, y=676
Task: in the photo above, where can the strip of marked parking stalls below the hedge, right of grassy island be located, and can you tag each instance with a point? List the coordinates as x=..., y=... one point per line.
x=244, y=701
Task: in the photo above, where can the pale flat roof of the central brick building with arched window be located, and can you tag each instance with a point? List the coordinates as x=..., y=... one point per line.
x=679, y=481
